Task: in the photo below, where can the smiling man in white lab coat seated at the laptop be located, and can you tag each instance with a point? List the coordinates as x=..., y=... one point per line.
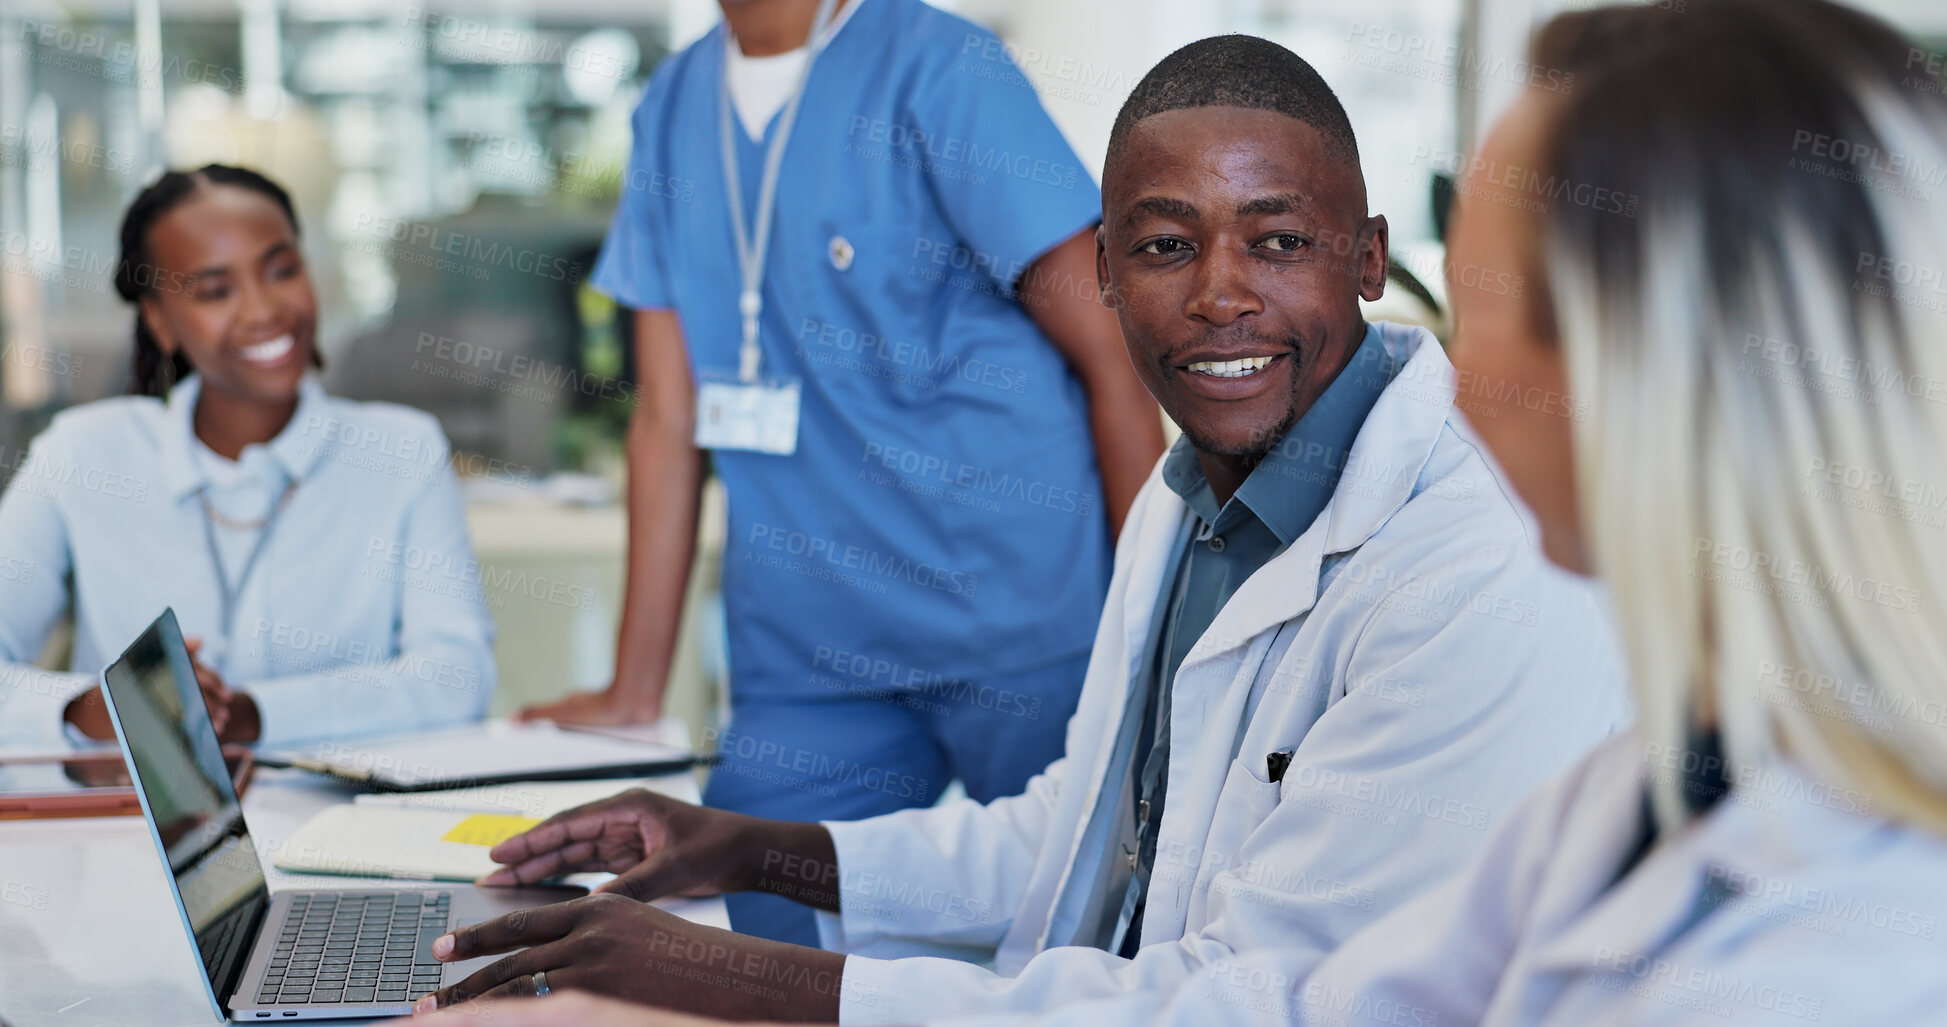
x=1331, y=654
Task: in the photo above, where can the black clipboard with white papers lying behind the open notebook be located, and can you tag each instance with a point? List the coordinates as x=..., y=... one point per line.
x=484, y=755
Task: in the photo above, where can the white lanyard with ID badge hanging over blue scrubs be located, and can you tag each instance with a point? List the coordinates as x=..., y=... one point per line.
x=749, y=410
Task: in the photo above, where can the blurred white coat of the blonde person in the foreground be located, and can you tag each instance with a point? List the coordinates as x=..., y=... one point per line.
x=1788, y=903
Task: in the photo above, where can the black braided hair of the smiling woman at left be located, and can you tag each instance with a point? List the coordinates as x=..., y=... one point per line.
x=135, y=274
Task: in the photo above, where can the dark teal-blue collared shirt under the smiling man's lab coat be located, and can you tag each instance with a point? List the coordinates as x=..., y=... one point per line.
x=1276, y=504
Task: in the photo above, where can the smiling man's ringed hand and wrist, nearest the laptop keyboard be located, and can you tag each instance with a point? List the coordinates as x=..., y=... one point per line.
x=636, y=952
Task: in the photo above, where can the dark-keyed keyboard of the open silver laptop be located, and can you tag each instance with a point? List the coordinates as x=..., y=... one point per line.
x=357, y=948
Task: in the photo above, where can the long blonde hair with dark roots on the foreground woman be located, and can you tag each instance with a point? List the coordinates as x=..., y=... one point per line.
x=1759, y=338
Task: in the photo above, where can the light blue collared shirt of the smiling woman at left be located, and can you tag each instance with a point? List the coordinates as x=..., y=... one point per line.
x=363, y=613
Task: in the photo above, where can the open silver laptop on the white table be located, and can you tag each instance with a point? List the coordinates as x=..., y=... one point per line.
x=295, y=954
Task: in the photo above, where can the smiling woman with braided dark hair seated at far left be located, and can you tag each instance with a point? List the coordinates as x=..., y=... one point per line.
x=314, y=549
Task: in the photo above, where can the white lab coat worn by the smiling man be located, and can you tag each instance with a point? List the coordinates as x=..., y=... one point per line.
x=1414, y=650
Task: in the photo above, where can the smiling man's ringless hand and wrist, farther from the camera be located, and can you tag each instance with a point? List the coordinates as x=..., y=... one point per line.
x=663, y=847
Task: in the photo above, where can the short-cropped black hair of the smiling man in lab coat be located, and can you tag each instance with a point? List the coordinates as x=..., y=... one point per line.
x=1239, y=71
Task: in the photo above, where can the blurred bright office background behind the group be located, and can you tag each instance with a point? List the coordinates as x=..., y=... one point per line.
x=497, y=132
